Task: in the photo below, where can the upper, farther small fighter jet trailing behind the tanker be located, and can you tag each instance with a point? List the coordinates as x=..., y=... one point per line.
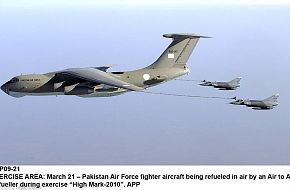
x=231, y=85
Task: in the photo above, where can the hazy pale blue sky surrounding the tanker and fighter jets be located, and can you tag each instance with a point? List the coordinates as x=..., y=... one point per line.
x=250, y=40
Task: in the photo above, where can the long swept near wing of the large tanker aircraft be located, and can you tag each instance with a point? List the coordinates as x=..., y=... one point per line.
x=98, y=76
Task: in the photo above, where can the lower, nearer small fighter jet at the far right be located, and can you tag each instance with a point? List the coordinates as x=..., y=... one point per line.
x=266, y=104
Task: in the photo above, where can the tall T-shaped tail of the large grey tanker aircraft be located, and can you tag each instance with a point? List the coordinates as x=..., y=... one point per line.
x=178, y=52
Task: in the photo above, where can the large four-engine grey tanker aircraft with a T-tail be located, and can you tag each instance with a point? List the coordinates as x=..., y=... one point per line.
x=98, y=82
